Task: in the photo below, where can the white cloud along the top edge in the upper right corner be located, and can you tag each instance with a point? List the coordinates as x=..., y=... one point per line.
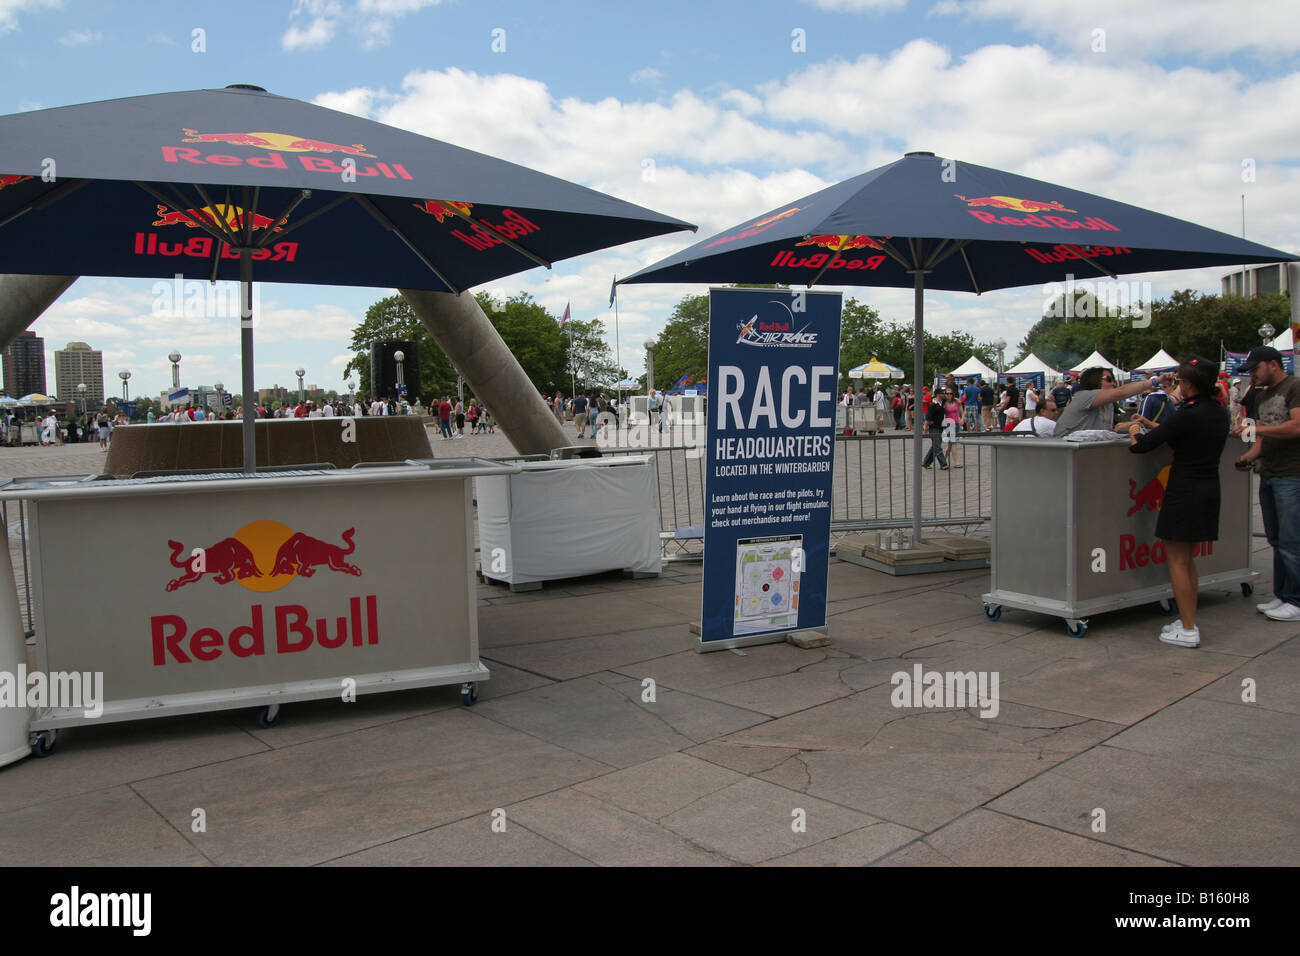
x=1150, y=28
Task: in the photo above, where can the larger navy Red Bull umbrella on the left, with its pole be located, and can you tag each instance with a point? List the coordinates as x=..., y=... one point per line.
x=210, y=184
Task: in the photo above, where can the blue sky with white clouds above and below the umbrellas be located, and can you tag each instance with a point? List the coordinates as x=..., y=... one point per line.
x=713, y=113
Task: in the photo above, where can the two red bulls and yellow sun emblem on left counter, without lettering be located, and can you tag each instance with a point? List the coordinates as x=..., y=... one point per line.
x=263, y=546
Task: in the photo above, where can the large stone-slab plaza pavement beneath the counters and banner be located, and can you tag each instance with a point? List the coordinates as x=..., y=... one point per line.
x=734, y=747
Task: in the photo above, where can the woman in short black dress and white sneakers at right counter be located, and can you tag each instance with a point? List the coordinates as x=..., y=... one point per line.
x=1189, y=514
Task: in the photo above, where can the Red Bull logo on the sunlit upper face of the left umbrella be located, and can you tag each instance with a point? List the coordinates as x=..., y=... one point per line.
x=276, y=146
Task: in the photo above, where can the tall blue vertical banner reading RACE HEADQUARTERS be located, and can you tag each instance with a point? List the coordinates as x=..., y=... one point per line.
x=773, y=375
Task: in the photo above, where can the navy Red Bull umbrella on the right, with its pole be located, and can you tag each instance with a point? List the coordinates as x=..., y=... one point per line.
x=925, y=222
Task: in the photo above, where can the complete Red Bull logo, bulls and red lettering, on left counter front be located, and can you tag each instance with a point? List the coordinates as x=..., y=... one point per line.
x=265, y=556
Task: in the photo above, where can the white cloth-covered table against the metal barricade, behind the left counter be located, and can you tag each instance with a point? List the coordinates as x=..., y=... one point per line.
x=565, y=520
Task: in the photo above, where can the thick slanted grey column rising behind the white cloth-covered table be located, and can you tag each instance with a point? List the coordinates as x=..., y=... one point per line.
x=478, y=353
